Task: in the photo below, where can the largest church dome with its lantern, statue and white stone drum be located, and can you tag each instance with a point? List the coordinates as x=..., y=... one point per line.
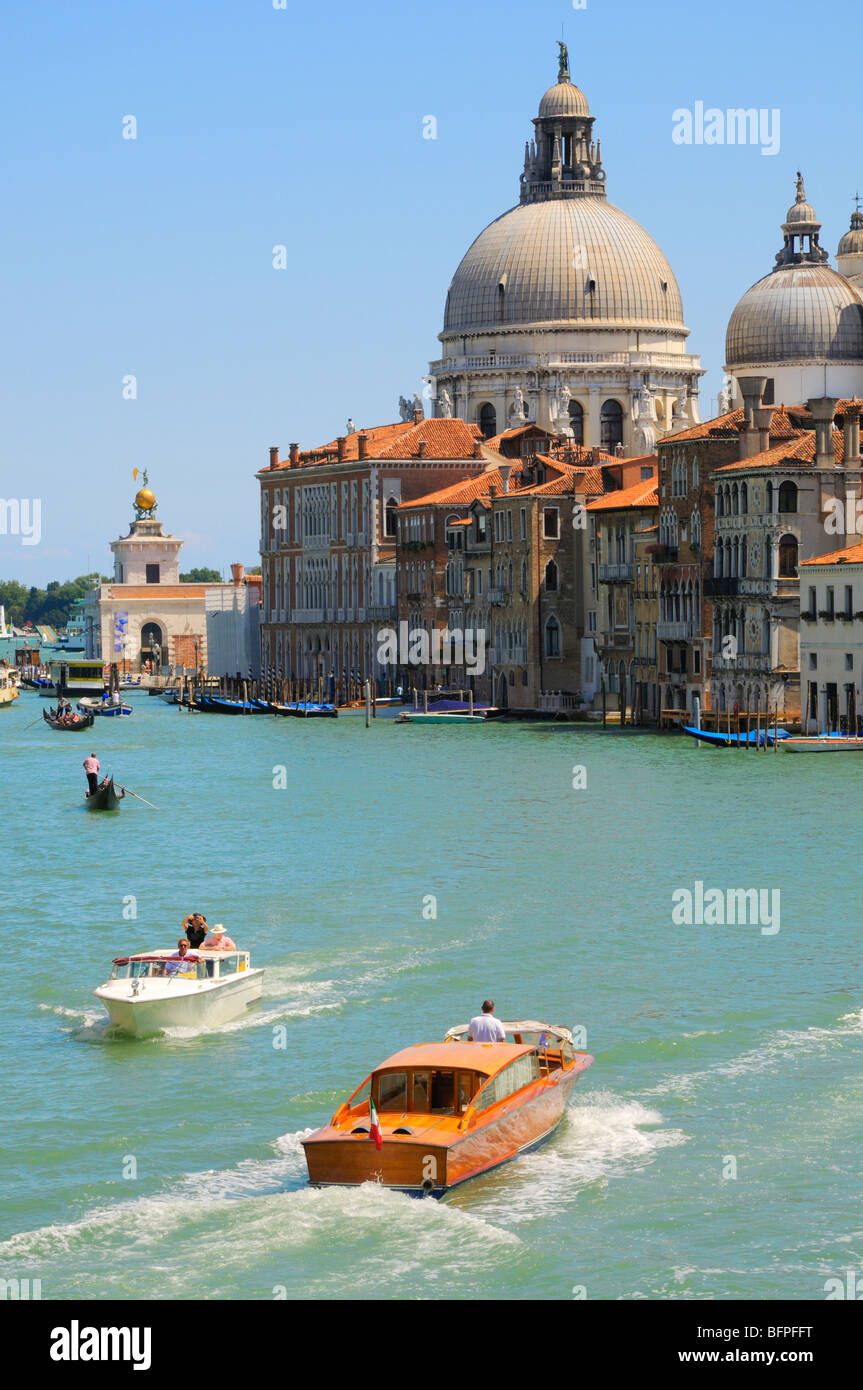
x=565, y=311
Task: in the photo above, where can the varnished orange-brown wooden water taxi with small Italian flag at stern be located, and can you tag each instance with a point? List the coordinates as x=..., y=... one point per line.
x=438, y=1114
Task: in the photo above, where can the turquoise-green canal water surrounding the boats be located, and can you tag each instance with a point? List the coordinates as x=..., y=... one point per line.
x=718, y=1047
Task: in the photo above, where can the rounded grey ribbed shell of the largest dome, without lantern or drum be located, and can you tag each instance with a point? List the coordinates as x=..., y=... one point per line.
x=565, y=261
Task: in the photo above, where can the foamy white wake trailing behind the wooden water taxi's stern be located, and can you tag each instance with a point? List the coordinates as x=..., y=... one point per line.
x=252, y=1223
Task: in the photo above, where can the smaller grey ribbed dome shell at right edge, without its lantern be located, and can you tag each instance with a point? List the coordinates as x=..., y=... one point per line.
x=798, y=313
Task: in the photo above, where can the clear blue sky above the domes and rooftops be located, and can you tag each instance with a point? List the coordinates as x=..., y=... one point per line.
x=304, y=127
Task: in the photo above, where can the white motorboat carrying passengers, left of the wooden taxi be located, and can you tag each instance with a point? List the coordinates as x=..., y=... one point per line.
x=159, y=990
